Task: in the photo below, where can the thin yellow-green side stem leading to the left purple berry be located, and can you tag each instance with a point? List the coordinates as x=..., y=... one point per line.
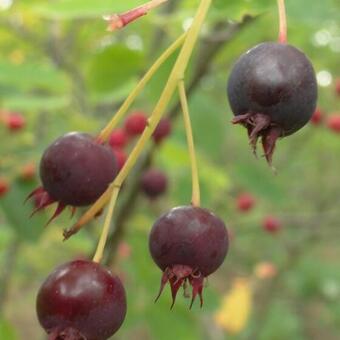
x=105, y=133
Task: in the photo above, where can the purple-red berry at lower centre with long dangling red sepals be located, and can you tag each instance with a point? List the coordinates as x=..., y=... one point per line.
x=188, y=244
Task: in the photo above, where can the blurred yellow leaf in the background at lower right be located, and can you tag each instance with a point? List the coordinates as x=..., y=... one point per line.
x=236, y=306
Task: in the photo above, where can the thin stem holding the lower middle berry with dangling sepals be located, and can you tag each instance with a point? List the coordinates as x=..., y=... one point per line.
x=196, y=199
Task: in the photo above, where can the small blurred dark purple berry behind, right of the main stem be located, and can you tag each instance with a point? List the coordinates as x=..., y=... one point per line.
x=154, y=183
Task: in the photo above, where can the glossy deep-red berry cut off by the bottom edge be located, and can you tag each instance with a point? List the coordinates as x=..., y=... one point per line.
x=81, y=300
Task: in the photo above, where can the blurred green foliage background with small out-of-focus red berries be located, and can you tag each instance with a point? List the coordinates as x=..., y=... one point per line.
x=61, y=71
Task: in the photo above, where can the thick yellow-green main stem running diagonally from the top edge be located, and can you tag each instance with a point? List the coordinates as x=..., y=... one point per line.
x=176, y=75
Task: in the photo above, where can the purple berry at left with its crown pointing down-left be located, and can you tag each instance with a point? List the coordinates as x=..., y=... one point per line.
x=74, y=170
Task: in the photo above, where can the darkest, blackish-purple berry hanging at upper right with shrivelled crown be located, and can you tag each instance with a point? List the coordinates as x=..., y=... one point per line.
x=272, y=91
